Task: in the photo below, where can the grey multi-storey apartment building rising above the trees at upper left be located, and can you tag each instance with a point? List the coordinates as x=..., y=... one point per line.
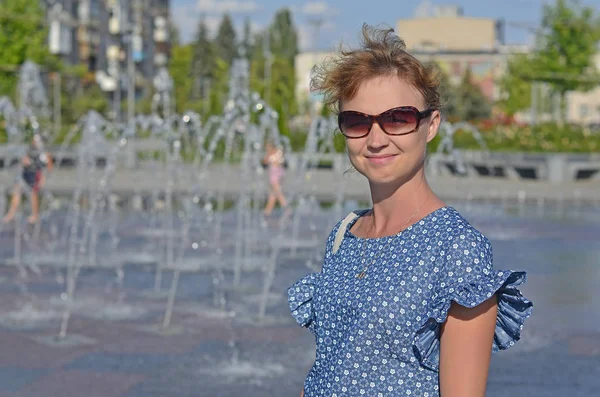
x=104, y=34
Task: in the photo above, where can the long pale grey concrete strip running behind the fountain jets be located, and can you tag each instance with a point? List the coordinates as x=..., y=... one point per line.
x=324, y=185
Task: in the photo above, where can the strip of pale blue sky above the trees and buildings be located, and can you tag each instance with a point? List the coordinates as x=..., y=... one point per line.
x=342, y=19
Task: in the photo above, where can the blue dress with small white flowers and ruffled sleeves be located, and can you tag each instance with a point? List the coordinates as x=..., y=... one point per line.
x=379, y=335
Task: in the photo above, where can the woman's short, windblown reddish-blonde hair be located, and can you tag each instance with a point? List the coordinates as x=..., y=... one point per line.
x=381, y=53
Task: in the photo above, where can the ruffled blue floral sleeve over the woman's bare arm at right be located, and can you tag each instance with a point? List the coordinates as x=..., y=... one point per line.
x=469, y=280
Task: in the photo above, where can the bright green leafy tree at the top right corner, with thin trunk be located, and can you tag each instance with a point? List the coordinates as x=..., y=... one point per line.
x=567, y=43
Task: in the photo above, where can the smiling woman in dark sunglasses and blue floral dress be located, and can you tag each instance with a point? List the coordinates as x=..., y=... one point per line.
x=407, y=301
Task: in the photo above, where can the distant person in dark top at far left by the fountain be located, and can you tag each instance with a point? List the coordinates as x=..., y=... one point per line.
x=34, y=162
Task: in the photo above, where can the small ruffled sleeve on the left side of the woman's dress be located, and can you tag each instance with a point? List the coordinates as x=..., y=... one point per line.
x=300, y=299
